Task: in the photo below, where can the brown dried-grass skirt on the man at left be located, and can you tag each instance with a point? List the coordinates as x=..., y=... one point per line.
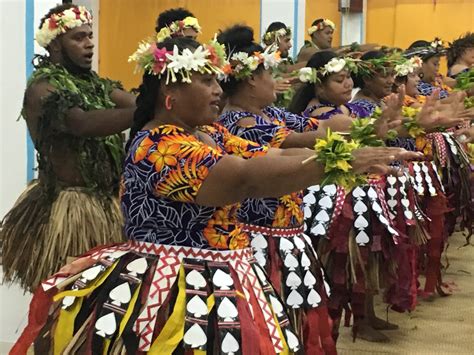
x=39, y=234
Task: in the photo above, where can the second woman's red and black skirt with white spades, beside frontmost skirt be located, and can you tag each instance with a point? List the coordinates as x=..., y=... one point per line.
x=294, y=270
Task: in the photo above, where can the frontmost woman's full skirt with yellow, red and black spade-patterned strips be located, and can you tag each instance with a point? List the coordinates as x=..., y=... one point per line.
x=141, y=297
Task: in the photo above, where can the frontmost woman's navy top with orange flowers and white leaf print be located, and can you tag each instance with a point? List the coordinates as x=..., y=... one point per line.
x=164, y=170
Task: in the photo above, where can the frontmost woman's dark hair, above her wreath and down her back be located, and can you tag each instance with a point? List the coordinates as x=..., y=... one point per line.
x=150, y=88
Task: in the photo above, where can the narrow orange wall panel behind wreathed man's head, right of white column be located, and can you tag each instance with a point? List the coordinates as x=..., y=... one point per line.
x=324, y=9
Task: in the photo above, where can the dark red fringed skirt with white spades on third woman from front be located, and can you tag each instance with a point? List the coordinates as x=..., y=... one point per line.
x=356, y=241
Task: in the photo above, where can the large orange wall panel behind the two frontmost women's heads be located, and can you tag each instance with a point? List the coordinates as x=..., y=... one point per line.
x=123, y=23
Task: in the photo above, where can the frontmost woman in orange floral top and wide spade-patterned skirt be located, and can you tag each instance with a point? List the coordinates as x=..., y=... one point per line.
x=186, y=279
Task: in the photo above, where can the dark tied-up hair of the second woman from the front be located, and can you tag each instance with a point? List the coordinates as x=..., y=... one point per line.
x=238, y=38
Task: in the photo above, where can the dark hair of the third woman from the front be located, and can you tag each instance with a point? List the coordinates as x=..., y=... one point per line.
x=306, y=92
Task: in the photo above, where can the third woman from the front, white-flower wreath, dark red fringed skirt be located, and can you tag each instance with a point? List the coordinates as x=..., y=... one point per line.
x=357, y=225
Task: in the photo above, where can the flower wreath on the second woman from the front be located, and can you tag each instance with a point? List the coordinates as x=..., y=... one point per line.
x=241, y=65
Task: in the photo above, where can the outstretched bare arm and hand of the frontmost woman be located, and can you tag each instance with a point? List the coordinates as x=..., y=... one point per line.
x=233, y=179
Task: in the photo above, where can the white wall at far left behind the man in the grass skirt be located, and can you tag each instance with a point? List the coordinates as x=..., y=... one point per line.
x=14, y=41
